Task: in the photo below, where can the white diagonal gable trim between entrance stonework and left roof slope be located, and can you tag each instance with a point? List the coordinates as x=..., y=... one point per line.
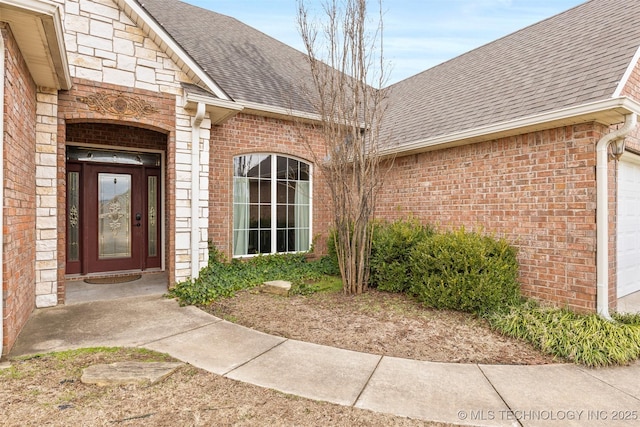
x=145, y=22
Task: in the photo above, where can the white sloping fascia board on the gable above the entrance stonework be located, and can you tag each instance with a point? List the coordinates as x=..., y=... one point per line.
x=134, y=8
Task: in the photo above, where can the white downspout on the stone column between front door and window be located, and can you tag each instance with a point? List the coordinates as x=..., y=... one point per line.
x=195, y=190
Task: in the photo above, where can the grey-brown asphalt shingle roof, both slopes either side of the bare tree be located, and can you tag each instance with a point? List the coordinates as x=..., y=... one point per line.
x=573, y=58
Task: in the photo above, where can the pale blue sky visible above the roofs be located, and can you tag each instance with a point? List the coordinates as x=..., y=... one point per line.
x=418, y=34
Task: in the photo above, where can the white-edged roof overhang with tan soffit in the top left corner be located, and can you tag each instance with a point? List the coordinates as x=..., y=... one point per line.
x=37, y=27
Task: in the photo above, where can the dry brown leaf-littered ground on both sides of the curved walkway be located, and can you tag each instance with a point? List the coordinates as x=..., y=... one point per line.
x=46, y=390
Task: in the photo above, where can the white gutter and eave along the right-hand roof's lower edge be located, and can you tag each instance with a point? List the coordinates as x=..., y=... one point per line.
x=600, y=111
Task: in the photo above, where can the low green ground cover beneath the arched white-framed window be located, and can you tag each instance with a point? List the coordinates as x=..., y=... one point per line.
x=221, y=279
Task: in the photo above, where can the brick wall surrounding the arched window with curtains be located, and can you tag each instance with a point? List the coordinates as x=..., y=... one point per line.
x=254, y=134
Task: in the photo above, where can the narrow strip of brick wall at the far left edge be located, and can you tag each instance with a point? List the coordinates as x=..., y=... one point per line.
x=19, y=191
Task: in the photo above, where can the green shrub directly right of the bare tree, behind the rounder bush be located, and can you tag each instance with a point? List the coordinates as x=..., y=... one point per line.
x=391, y=248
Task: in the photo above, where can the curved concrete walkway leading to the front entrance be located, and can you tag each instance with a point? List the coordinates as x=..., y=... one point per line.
x=465, y=394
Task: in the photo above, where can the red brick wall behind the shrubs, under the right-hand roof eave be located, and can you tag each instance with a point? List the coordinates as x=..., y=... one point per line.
x=537, y=190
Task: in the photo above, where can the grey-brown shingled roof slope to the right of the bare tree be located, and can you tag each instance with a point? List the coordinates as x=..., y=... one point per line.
x=573, y=58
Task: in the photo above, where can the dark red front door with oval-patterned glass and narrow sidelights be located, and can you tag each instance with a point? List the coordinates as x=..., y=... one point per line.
x=113, y=218
